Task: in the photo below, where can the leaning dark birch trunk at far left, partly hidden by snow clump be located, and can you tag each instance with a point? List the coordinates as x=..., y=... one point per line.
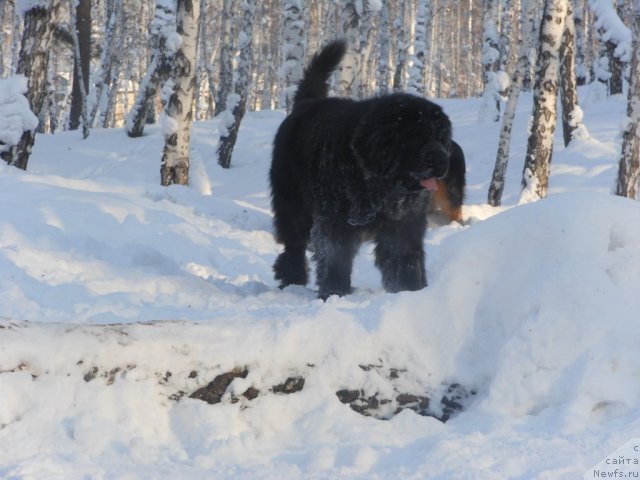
x=33, y=64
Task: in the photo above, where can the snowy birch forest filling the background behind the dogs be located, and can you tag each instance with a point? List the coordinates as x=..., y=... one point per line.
x=116, y=63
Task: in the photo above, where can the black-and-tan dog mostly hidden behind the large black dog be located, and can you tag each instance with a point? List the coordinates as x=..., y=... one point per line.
x=449, y=196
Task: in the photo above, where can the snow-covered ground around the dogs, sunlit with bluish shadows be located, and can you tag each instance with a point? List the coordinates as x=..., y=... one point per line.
x=120, y=298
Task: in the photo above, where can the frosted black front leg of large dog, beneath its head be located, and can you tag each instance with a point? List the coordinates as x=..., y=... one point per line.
x=400, y=255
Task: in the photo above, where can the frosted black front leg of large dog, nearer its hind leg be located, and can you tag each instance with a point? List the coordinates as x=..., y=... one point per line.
x=334, y=251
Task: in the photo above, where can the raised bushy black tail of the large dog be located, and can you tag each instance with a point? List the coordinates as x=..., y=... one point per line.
x=316, y=75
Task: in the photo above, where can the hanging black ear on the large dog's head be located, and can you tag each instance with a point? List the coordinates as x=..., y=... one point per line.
x=375, y=143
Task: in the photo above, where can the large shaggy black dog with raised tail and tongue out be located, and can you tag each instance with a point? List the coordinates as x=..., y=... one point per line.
x=345, y=171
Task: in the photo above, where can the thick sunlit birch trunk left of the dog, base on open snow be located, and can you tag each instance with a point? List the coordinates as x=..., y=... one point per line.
x=178, y=112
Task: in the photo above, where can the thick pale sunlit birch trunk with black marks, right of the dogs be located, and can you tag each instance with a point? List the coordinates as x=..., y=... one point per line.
x=535, y=176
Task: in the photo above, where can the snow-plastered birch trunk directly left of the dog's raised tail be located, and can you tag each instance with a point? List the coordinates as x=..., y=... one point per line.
x=293, y=48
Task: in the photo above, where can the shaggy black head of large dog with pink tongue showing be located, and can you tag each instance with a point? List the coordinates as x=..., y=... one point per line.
x=404, y=139
